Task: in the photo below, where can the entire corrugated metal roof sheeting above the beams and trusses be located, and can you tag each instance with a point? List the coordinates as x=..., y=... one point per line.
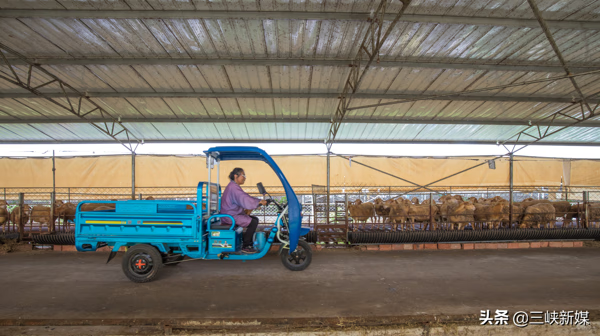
x=298, y=39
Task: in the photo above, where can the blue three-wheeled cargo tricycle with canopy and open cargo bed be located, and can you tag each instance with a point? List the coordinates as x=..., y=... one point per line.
x=160, y=232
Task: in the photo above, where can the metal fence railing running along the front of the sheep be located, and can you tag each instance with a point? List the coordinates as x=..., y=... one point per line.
x=584, y=208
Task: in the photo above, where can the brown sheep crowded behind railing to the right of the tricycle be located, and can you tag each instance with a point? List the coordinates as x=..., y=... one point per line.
x=454, y=213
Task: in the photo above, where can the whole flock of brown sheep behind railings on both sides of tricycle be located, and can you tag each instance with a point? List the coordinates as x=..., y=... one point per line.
x=449, y=213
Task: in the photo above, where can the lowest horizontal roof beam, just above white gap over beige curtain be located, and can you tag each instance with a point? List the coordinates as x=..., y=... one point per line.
x=319, y=141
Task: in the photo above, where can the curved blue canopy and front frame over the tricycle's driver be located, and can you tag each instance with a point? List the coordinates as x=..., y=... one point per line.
x=229, y=153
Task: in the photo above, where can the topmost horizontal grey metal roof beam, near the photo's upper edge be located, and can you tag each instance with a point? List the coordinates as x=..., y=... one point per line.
x=286, y=15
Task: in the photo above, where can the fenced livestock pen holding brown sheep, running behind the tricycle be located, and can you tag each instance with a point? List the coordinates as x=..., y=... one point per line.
x=415, y=216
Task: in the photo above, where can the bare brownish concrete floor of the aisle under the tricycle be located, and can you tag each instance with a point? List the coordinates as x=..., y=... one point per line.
x=339, y=283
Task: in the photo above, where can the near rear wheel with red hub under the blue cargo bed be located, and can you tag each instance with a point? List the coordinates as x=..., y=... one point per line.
x=141, y=263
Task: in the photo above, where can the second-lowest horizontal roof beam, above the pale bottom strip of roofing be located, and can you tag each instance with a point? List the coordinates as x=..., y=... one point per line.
x=494, y=122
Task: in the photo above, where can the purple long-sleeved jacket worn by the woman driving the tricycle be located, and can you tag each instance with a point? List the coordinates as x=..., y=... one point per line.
x=233, y=202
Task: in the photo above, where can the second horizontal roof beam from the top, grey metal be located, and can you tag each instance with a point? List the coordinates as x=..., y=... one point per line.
x=431, y=64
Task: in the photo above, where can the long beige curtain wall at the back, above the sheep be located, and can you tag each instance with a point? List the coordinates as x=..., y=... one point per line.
x=173, y=171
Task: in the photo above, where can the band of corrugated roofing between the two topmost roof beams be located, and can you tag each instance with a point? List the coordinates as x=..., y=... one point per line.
x=248, y=38
